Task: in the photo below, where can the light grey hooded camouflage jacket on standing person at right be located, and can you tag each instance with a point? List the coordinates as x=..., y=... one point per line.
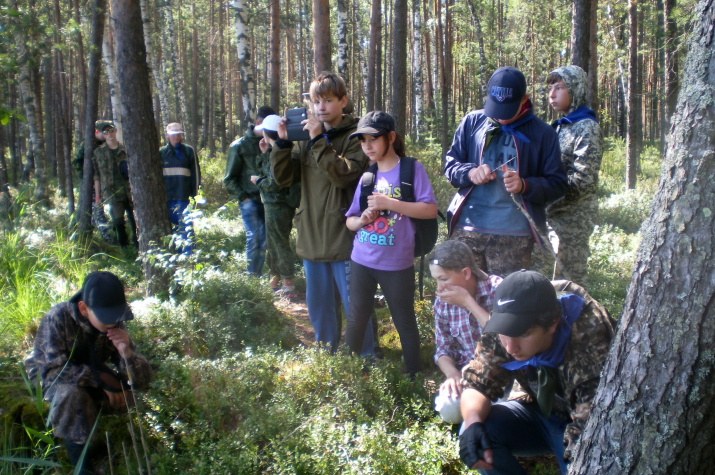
x=581, y=146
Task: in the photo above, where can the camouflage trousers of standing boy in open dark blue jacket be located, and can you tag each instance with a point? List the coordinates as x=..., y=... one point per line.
x=497, y=254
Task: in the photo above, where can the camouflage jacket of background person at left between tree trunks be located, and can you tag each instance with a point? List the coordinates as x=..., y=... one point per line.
x=110, y=168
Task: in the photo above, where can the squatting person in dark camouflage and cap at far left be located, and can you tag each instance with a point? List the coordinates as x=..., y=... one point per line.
x=84, y=359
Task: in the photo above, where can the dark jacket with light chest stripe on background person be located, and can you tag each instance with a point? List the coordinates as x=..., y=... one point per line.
x=182, y=176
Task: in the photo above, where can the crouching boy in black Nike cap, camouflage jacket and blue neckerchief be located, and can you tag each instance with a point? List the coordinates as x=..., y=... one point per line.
x=553, y=339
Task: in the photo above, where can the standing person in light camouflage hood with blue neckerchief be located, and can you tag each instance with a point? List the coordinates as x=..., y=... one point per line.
x=581, y=143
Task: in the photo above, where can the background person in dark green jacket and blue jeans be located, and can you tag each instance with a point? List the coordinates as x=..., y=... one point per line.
x=242, y=163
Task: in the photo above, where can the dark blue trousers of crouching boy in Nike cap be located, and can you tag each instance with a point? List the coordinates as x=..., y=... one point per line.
x=517, y=429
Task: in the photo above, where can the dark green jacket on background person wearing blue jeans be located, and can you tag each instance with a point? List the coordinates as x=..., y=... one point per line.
x=241, y=163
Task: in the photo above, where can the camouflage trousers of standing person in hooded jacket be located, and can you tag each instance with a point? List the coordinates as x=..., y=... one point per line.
x=574, y=231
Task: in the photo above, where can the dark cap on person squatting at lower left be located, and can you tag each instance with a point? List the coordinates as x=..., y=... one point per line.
x=103, y=292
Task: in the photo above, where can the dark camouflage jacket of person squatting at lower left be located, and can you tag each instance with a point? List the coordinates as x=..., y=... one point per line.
x=69, y=350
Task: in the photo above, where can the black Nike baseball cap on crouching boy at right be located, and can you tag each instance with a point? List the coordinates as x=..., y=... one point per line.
x=518, y=301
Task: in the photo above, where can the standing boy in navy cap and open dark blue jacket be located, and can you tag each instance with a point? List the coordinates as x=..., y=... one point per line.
x=500, y=156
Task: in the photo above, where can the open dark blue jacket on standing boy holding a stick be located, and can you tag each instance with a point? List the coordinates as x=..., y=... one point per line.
x=538, y=162
